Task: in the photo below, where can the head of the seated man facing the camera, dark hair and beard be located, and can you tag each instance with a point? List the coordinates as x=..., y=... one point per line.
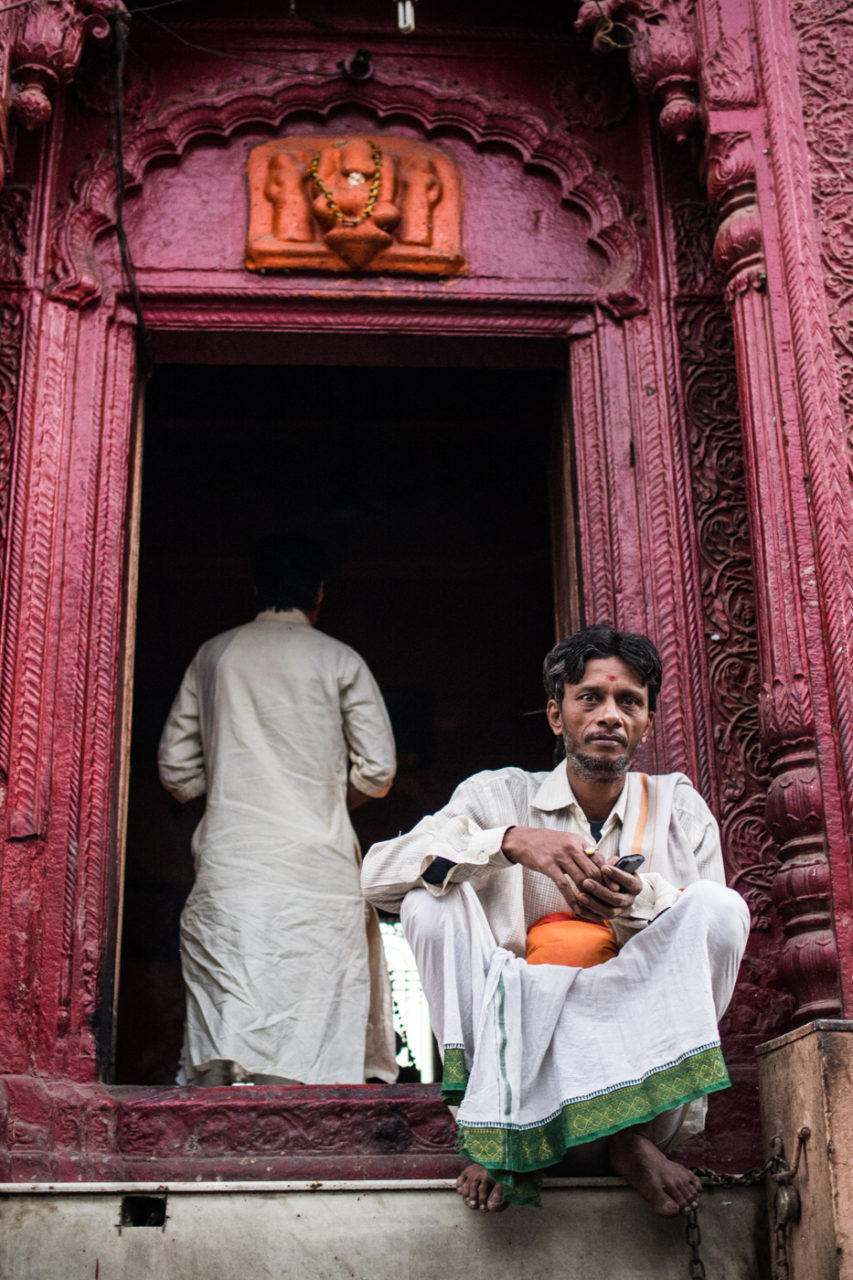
x=603, y=689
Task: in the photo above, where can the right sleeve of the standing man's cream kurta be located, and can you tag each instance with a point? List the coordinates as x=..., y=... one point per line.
x=367, y=728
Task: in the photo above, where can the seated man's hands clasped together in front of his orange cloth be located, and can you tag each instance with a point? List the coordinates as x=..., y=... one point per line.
x=594, y=889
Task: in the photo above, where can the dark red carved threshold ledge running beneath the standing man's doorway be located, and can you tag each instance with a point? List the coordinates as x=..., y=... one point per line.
x=57, y=1130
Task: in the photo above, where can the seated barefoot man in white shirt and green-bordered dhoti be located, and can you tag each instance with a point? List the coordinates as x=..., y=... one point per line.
x=546, y=1058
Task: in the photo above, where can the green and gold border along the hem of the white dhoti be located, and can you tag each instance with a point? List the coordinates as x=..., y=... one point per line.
x=510, y=1153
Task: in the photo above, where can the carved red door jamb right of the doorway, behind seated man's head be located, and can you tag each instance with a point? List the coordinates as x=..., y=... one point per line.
x=638, y=564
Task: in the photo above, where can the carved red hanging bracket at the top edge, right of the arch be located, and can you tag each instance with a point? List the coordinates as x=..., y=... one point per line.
x=663, y=53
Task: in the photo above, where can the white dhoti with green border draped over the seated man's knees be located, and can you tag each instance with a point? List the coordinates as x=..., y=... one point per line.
x=546, y=1058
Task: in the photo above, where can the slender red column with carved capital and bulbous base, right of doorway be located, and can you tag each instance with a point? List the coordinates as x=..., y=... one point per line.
x=796, y=815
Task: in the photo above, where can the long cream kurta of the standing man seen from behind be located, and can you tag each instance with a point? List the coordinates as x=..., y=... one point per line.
x=280, y=954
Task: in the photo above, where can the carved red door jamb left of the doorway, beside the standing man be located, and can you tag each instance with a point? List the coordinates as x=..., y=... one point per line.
x=58, y=734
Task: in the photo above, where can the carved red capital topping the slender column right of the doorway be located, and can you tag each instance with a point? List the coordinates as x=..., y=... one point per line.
x=731, y=176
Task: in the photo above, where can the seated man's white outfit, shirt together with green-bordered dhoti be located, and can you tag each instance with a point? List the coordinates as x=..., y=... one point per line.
x=545, y=1058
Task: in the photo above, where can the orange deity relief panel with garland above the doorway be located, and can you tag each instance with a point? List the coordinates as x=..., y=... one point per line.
x=354, y=204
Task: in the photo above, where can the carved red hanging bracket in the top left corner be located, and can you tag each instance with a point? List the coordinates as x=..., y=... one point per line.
x=48, y=48
